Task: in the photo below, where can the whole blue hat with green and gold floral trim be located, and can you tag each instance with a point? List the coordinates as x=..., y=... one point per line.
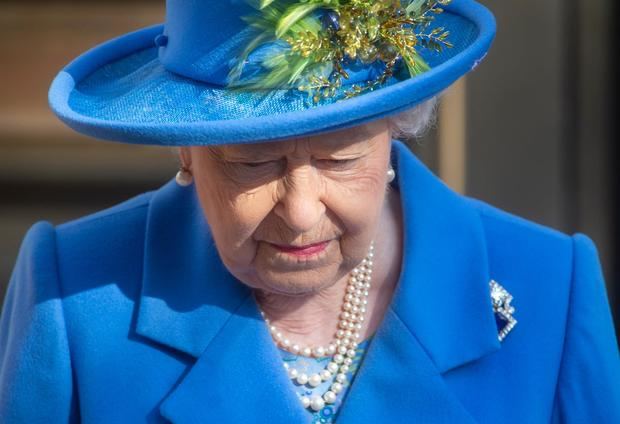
x=196, y=79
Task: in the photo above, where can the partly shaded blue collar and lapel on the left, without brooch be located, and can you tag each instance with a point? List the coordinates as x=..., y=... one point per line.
x=190, y=302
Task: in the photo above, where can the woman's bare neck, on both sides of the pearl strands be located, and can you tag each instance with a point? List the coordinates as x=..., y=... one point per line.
x=313, y=319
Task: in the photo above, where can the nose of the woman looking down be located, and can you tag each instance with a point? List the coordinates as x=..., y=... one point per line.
x=299, y=204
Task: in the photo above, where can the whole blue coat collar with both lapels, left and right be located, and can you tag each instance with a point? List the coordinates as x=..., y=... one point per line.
x=440, y=317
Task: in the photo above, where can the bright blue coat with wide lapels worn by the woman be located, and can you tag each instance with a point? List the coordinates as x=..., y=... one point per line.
x=128, y=315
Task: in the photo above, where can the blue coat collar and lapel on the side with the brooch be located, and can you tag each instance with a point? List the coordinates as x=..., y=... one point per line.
x=441, y=315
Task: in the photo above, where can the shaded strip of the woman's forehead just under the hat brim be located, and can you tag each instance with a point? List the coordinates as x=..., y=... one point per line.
x=355, y=138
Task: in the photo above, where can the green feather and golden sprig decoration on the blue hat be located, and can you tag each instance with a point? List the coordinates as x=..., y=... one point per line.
x=312, y=61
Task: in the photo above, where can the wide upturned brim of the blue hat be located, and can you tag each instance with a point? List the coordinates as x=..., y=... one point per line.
x=120, y=91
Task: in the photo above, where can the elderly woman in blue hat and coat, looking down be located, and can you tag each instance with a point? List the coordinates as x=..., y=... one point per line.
x=304, y=265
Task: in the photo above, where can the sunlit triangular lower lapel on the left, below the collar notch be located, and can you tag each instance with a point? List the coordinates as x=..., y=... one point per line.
x=237, y=378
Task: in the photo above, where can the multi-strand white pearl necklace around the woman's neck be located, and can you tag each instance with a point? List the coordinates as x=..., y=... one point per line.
x=344, y=345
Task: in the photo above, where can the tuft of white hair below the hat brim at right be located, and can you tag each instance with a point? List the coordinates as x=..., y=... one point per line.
x=414, y=122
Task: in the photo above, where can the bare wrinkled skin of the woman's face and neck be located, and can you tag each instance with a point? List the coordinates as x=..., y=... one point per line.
x=260, y=198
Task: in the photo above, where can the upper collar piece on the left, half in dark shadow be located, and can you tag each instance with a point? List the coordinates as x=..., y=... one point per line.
x=187, y=294
